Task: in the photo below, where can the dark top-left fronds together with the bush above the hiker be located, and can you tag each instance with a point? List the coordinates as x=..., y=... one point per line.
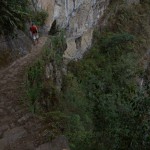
x=15, y=13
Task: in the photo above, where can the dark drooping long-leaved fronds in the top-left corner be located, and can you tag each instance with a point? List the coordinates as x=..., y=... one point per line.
x=13, y=14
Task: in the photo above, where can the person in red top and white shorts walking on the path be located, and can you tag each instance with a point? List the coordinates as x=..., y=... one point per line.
x=34, y=33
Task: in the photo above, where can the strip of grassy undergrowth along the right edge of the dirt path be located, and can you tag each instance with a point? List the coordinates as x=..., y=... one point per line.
x=42, y=94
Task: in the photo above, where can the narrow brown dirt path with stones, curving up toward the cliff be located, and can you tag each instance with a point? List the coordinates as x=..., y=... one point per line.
x=19, y=129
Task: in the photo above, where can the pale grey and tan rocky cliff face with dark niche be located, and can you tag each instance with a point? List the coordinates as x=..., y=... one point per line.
x=78, y=17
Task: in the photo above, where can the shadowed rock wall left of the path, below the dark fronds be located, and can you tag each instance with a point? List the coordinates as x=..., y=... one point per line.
x=12, y=48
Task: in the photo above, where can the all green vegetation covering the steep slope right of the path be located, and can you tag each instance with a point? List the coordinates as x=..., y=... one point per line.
x=101, y=105
